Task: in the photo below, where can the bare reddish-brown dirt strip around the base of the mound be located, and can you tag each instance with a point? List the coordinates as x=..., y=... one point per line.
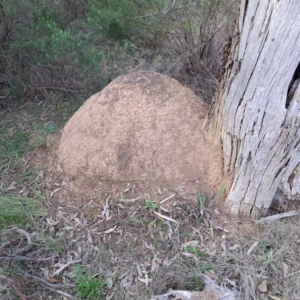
x=88, y=194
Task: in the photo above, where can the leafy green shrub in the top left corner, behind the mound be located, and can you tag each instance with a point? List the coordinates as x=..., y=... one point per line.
x=50, y=50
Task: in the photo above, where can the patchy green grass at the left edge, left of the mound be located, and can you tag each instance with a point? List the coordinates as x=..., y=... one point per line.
x=35, y=123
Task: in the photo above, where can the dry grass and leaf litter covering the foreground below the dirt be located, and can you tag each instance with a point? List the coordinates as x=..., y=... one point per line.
x=141, y=255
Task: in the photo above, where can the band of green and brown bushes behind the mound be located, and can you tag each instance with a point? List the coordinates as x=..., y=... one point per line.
x=71, y=47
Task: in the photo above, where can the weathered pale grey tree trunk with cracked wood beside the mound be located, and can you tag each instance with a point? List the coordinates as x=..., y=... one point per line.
x=256, y=110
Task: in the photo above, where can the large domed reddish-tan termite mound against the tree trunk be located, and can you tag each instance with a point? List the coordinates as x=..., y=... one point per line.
x=143, y=125
